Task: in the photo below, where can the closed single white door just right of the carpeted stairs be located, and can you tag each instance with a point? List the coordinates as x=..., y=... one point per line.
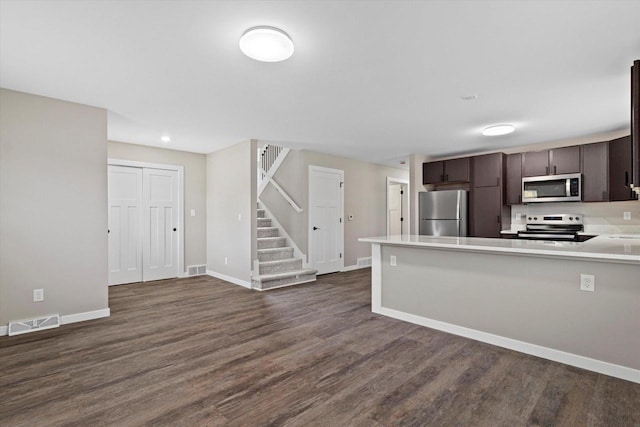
x=326, y=228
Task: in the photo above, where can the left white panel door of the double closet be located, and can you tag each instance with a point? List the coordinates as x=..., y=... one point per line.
x=125, y=239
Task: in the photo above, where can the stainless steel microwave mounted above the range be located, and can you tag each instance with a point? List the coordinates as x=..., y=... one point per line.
x=552, y=188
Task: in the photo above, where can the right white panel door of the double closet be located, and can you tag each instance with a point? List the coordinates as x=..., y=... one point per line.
x=160, y=224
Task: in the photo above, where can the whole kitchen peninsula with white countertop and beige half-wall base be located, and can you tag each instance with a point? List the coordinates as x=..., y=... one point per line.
x=519, y=294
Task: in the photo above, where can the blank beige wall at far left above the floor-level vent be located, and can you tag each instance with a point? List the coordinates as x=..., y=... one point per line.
x=53, y=199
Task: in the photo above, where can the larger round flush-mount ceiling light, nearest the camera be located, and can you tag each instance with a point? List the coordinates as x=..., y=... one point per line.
x=267, y=44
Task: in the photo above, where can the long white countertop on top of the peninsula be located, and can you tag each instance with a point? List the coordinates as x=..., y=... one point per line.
x=616, y=248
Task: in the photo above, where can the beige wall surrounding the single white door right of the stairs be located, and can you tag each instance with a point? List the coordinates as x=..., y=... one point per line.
x=365, y=197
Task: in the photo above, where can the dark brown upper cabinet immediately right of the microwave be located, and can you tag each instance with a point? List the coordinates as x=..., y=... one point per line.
x=595, y=172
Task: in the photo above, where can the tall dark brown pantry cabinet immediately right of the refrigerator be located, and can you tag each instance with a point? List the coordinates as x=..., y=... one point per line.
x=485, y=214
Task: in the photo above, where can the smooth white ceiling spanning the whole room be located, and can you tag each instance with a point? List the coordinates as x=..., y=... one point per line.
x=374, y=80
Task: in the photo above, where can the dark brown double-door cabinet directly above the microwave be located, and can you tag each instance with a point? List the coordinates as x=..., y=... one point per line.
x=551, y=162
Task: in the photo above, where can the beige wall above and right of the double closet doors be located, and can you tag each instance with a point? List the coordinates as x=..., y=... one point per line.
x=195, y=191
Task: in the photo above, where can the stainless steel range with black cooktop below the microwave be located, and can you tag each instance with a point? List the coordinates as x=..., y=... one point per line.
x=552, y=227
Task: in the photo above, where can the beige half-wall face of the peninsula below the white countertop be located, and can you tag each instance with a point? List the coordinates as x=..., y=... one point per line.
x=526, y=298
